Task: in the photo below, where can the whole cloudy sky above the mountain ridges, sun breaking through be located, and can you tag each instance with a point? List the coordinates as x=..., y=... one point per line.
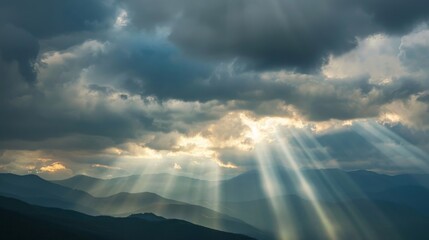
x=111, y=88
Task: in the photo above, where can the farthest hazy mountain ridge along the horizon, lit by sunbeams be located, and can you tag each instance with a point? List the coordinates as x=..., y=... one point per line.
x=329, y=184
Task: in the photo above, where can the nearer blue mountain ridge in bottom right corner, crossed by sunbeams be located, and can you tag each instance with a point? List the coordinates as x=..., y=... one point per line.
x=355, y=219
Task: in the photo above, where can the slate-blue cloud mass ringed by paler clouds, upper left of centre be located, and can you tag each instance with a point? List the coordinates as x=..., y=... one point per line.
x=143, y=64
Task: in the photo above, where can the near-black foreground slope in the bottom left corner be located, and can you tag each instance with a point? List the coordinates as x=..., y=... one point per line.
x=23, y=221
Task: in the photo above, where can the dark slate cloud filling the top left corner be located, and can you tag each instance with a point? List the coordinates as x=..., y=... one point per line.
x=24, y=22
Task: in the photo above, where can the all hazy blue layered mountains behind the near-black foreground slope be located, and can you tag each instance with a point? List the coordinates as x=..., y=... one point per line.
x=358, y=204
